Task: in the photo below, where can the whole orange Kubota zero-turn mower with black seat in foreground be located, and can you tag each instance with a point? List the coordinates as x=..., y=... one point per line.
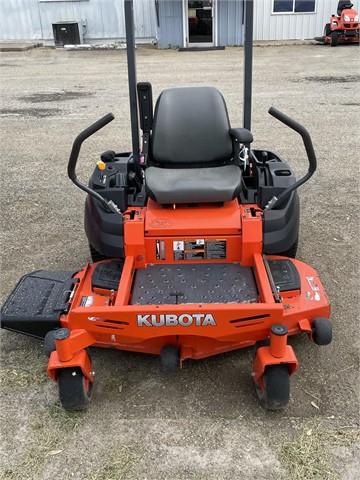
x=193, y=237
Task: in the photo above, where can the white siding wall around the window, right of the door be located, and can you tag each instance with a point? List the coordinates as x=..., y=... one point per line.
x=300, y=26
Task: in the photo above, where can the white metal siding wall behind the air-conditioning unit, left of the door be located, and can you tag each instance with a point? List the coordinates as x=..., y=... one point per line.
x=104, y=19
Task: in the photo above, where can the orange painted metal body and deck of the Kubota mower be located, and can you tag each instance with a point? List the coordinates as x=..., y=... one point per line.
x=108, y=319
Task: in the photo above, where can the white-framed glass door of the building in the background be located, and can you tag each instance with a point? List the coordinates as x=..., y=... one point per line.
x=200, y=22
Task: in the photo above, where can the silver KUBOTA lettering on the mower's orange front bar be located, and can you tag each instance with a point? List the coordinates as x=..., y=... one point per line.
x=172, y=320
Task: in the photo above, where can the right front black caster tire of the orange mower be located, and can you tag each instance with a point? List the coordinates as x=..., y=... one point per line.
x=276, y=391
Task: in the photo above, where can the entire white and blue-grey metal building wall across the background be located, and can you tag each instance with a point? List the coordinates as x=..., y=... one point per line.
x=32, y=20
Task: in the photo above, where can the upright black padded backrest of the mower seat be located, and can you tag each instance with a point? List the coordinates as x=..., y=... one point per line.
x=191, y=126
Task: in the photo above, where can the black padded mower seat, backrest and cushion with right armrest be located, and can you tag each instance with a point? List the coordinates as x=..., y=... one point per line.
x=192, y=148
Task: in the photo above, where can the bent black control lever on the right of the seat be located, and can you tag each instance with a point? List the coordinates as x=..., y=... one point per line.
x=309, y=151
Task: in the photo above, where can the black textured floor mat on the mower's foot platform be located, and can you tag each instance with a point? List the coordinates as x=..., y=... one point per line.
x=201, y=283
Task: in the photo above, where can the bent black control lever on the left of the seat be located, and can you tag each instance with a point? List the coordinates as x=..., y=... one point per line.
x=74, y=155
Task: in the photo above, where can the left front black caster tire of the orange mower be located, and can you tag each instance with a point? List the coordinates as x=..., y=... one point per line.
x=74, y=389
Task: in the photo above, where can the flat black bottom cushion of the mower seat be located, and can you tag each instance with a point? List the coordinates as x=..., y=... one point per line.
x=193, y=185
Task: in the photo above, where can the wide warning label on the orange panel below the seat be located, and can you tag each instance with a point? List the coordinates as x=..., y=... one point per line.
x=199, y=249
